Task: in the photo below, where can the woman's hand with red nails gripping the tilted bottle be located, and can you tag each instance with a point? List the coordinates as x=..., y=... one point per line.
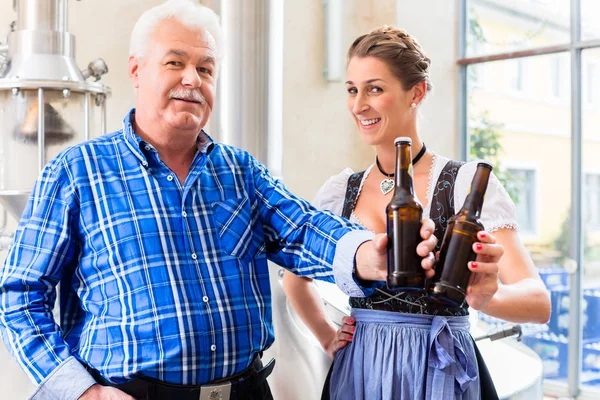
x=484, y=278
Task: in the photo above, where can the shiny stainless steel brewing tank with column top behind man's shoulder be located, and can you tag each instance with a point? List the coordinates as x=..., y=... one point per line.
x=46, y=101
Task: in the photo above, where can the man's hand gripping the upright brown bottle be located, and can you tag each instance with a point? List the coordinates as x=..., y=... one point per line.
x=371, y=256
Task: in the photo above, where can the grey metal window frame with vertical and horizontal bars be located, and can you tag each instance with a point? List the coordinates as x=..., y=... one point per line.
x=574, y=47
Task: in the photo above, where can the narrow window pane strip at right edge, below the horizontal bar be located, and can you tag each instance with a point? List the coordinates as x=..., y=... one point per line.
x=590, y=374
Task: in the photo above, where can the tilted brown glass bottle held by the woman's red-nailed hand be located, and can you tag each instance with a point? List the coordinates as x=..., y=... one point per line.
x=452, y=274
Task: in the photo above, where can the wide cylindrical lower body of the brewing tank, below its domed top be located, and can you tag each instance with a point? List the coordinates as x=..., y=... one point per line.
x=66, y=113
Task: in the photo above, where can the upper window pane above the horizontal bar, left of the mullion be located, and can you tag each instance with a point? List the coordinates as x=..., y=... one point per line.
x=497, y=26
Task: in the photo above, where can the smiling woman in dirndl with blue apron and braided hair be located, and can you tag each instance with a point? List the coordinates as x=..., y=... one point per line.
x=403, y=346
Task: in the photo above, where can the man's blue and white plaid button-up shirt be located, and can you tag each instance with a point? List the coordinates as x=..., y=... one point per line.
x=158, y=278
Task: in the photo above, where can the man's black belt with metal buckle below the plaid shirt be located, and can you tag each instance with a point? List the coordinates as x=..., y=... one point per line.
x=235, y=387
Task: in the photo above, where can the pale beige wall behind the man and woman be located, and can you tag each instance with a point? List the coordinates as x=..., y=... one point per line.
x=318, y=137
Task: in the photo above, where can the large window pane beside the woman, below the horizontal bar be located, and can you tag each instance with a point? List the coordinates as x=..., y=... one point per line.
x=520, y=120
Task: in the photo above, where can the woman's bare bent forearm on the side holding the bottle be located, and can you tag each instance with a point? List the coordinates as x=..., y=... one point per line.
x=523, y=301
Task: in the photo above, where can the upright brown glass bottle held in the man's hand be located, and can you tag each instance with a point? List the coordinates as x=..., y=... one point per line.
x=404, y=214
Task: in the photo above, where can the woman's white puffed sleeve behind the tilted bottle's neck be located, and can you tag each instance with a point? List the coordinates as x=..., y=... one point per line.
x=498, y=211
